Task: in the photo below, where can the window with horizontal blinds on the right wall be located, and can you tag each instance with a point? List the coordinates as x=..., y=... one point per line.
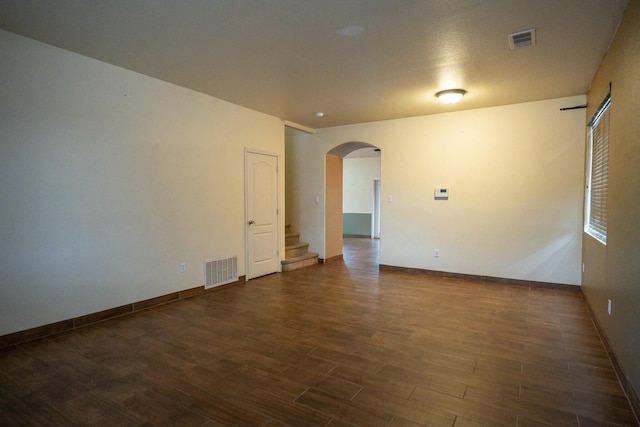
x=598, y=174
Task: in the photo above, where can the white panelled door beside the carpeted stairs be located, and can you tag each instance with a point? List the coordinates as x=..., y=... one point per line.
x=261, y=189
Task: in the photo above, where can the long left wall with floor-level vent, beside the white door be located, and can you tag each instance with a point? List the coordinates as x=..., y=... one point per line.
x=109, y=180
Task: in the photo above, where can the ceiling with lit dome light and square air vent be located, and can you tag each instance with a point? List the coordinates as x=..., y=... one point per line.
x=286, y=58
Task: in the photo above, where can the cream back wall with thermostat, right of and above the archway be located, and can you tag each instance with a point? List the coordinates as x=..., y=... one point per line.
x=515, y=175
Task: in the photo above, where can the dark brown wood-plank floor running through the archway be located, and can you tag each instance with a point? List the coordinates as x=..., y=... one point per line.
x=334, y=345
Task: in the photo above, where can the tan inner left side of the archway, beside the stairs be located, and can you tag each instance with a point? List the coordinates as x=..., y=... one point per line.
x=333, y=207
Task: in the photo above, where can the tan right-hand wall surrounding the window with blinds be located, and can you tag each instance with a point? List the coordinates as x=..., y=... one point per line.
x=613, y=271
